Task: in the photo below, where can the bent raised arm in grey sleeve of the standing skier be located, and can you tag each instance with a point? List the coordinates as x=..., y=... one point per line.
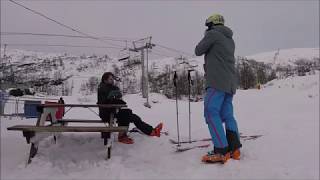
x=205, y=44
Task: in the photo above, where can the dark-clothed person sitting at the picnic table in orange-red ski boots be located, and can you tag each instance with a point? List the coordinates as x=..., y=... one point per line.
x=108, y=93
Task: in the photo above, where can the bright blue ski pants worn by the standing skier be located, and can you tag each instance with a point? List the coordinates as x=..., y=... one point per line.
x=218, y=109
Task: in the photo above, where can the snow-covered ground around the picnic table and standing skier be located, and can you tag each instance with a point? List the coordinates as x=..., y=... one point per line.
x=285, y=112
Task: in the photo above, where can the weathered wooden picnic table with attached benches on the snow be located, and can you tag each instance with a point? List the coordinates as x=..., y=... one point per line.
x=50, y=113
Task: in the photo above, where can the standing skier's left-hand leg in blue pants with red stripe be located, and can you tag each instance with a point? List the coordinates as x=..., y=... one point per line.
x=212, y=106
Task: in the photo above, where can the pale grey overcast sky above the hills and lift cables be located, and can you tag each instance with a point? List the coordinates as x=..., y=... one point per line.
x=258, y=26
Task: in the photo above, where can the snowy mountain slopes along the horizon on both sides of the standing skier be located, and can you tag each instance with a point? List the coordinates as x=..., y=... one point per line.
x=77, y=72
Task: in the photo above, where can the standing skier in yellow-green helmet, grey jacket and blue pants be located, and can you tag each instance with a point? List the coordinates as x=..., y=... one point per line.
x=221, y=77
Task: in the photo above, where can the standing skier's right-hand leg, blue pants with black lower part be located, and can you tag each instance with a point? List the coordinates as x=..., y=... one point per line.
x=231, y=125
